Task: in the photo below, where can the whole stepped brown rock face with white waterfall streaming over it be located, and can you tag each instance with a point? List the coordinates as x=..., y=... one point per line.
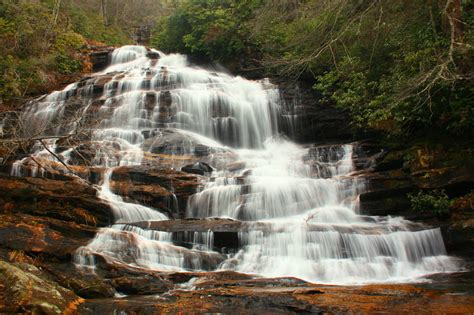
x=155, y=177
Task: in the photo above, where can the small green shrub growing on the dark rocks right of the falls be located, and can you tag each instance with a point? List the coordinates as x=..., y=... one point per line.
x=436, y=202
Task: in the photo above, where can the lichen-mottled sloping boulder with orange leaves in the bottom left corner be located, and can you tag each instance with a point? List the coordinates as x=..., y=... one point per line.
x=26, y=289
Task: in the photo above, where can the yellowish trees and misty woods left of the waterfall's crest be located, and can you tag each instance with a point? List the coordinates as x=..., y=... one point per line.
x=41, y=40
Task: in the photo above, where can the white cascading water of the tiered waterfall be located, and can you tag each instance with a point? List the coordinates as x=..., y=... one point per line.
x=305, y=197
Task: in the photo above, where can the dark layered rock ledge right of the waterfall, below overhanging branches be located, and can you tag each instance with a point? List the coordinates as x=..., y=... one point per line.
x=424, y=167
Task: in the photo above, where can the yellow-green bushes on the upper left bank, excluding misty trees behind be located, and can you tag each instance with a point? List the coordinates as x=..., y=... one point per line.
x=37, y=46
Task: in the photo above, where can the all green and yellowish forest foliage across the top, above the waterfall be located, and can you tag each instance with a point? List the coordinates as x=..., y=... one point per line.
x=392, y=65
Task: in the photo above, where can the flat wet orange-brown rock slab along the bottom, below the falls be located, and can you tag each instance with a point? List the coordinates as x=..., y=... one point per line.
x=279, y=296
